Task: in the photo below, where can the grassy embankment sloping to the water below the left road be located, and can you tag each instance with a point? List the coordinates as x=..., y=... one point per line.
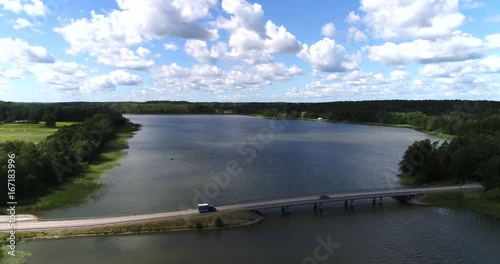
x=199, y=222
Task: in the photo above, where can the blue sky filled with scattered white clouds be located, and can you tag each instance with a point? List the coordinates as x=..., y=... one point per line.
x=249, y=51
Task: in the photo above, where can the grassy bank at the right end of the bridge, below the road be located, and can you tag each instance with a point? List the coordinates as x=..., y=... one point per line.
x=478, y=202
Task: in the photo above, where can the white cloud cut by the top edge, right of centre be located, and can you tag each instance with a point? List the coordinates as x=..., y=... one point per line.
x=423, y=19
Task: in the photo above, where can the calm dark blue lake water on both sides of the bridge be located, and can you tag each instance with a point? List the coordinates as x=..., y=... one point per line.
x=288, y=158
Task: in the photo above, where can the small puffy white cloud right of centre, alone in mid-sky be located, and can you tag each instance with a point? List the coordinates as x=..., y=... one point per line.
x=328, y=56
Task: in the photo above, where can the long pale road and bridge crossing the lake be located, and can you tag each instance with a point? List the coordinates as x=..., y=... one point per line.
x=348, y=198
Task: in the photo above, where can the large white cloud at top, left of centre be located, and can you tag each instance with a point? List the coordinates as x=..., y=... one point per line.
x=108, y=36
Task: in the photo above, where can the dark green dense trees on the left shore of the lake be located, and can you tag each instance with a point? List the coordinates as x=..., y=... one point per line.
x=38, y=167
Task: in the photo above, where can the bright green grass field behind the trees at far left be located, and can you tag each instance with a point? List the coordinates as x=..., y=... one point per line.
x=28, y=132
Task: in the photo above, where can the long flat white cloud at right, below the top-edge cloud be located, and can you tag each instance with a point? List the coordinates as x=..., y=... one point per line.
x=459, y=47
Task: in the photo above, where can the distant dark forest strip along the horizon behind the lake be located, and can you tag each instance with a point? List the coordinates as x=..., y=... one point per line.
x=449, y=116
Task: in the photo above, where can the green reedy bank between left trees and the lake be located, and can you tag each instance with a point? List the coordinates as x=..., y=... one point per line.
x=87, y=185
